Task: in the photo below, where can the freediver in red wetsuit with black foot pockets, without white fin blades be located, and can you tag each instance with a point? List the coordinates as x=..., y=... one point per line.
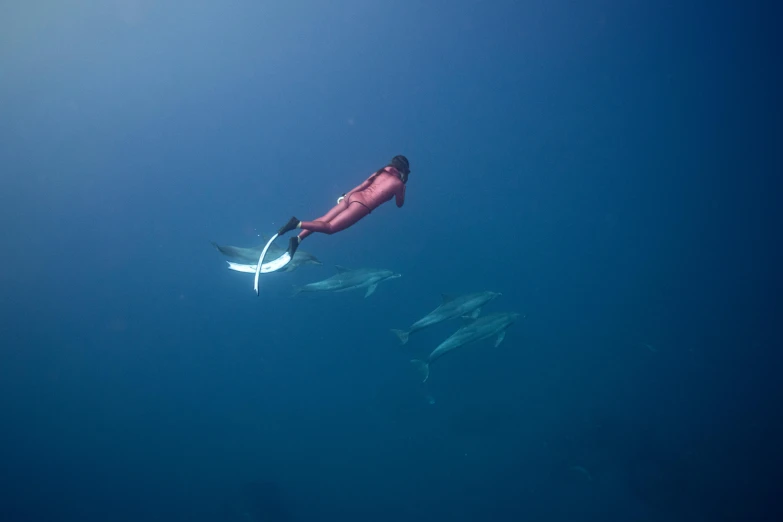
x=383, y=185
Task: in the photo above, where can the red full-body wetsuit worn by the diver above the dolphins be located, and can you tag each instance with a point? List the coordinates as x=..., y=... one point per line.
x=359, y=202
